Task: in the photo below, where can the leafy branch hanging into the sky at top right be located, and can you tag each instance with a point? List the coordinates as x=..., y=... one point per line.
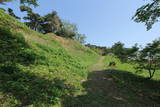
x=148, y=14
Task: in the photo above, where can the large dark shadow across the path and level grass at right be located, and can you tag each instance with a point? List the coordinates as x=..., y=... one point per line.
x=114, y=88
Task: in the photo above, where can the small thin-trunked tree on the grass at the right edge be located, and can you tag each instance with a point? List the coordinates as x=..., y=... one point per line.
x=148, y=58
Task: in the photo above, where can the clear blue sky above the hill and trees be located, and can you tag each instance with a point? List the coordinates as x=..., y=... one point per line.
x=103, y=21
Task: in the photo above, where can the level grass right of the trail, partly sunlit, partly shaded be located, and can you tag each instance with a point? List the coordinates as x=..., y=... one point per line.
x=136, y=89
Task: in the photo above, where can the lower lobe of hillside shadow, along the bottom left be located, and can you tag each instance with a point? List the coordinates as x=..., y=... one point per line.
x=27, y=88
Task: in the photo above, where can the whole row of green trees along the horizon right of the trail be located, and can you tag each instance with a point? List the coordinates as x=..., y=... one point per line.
x=144, y=59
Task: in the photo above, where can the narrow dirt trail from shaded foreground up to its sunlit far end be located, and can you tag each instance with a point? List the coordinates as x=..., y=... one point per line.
x=102, y=91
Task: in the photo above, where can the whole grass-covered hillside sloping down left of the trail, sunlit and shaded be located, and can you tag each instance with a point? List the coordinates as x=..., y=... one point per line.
x=39, y=70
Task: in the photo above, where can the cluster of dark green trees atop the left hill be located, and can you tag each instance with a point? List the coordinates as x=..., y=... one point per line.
x=49, y=23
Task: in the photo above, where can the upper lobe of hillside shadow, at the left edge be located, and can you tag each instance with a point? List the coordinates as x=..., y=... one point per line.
x=15, y=50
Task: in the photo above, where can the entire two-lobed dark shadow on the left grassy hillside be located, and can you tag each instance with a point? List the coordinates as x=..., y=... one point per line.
x=22, y=88
